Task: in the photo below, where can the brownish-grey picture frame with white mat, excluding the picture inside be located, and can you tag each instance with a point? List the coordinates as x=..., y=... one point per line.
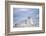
x=27, y=30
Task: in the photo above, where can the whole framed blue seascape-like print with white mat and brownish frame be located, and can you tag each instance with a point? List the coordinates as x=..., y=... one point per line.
x=24, y=17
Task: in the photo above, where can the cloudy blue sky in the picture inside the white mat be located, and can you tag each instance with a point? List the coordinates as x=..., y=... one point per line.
x=20, y=14
